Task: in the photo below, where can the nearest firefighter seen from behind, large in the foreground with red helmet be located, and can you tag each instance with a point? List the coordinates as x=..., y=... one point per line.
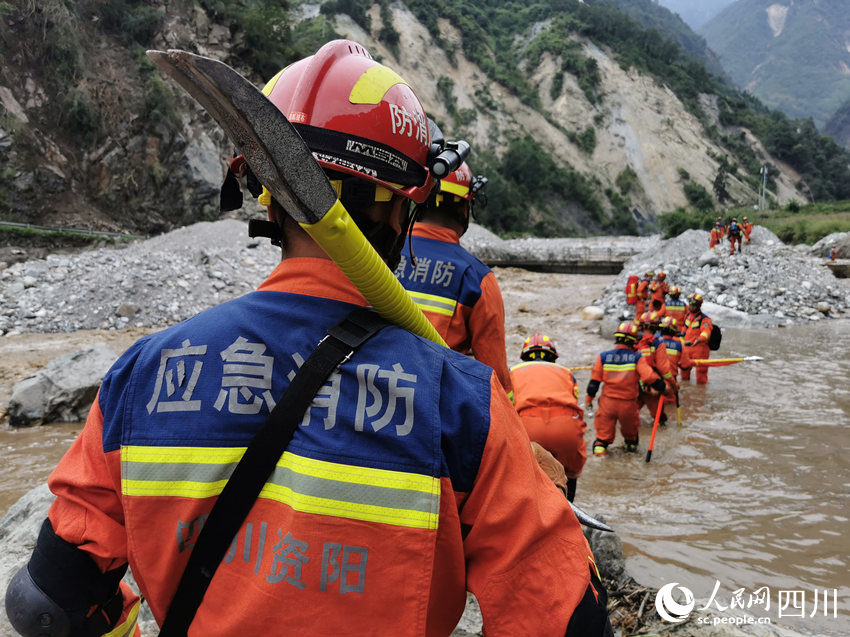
x=409, y=480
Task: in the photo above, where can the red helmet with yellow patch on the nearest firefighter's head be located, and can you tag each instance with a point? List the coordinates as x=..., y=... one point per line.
x=358, y=117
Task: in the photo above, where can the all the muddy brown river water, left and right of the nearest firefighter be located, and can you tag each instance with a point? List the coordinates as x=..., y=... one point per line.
x=748, y=500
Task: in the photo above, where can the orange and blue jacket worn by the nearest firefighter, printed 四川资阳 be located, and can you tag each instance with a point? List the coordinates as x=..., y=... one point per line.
x=409, y=481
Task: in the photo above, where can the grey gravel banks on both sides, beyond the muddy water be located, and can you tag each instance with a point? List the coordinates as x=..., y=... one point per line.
x=171, y=277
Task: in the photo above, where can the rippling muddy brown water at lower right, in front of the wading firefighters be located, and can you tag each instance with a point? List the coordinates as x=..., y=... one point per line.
x=753, y=489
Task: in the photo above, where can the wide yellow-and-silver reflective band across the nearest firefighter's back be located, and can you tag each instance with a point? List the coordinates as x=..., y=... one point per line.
x=305, y=484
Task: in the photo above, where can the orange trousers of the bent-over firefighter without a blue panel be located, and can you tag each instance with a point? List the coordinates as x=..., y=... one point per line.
x=559, y=430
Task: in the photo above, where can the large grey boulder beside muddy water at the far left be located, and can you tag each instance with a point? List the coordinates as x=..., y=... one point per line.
x=63, y=390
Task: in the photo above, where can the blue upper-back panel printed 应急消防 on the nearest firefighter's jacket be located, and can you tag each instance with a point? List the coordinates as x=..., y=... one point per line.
x=212, y=381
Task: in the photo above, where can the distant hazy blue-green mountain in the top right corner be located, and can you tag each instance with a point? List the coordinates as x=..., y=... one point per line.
x=792, y=54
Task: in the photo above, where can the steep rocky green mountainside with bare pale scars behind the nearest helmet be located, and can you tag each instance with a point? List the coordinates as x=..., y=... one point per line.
x=568, y=109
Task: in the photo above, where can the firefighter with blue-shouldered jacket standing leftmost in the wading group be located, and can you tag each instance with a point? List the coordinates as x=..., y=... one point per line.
x=619, y=371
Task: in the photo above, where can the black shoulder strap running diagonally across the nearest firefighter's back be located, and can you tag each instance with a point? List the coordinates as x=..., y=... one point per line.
x=241, y=491
